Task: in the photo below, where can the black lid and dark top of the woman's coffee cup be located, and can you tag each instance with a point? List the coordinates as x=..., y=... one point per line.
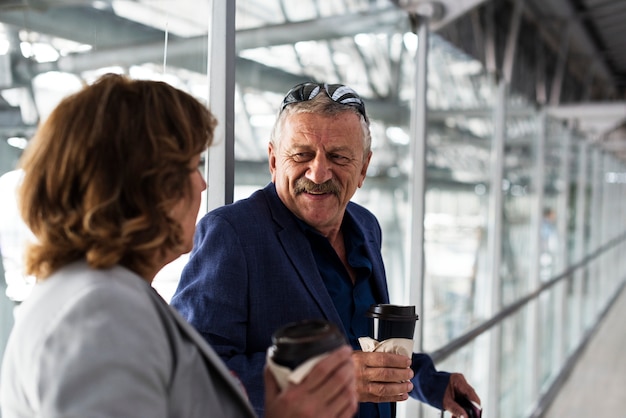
x=297, y=342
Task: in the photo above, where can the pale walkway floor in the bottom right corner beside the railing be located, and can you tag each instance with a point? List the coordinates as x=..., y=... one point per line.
x=596, y=386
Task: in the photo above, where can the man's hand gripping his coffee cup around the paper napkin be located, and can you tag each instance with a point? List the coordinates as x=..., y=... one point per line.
x=382, y=377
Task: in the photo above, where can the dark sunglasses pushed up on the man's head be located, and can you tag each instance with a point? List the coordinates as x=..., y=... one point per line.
x=337, y=92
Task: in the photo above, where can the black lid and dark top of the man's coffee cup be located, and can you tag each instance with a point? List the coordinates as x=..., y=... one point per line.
x=393, y=321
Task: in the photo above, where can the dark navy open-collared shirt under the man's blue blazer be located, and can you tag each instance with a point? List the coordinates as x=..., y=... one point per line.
x=350, y=300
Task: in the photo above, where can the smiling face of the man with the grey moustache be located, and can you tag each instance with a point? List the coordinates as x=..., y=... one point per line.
x=317, y=165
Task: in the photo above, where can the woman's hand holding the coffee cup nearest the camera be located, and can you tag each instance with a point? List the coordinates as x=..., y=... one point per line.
x=328, y=390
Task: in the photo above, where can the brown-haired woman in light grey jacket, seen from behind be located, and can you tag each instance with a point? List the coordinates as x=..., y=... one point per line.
x=111, y=191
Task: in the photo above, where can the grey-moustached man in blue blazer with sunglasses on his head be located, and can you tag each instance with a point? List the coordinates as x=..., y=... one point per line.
x=299, y=249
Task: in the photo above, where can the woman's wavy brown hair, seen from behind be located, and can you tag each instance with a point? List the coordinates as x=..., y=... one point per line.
x=105, y=172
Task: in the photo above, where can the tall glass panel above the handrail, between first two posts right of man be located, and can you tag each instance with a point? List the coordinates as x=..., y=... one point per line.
x=457, y=183
